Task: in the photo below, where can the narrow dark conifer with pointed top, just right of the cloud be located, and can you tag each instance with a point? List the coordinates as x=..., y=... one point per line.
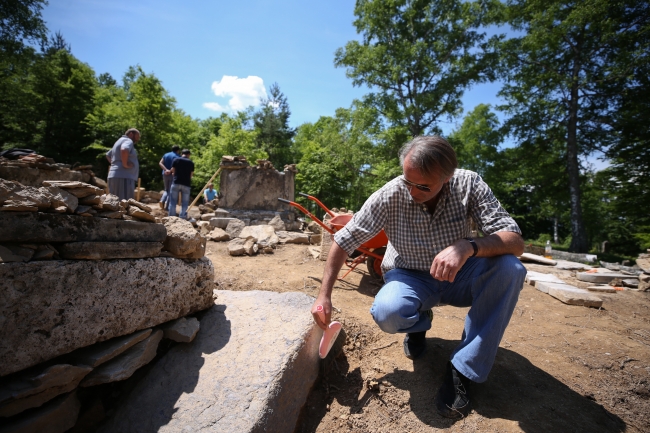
x=273, y=131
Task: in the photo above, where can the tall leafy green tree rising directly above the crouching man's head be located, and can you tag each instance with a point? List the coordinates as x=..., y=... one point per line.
x=418, y=57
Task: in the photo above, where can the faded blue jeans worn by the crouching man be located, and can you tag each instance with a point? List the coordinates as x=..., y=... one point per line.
x=490, y=286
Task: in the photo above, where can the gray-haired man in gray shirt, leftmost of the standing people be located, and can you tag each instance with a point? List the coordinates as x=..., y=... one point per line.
x=124, y=168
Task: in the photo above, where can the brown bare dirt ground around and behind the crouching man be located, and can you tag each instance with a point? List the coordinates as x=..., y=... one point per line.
x=559, y=368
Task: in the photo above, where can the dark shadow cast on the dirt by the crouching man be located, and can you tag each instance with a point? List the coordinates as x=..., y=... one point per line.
x=516, y=390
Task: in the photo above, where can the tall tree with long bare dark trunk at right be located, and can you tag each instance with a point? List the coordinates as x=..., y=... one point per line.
x=559, y=79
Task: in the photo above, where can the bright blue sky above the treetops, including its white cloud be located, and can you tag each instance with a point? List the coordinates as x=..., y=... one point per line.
x=234, y=48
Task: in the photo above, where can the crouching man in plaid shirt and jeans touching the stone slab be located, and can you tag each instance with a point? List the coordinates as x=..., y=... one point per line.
x=430, y=260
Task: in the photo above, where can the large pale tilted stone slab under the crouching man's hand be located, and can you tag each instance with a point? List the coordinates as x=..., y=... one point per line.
x=249, y=369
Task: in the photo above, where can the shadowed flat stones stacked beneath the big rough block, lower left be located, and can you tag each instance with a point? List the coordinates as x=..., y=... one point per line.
x=44, y=398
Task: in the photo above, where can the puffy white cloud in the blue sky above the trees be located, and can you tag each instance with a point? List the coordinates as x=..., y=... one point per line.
x=243, y=92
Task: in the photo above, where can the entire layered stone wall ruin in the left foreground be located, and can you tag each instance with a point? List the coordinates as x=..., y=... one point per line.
x=91, y=289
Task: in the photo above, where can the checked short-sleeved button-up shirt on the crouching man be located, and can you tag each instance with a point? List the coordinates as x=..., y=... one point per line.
x=416, y=236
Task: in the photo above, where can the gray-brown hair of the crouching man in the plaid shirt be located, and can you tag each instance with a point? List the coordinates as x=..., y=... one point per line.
x=429, y=155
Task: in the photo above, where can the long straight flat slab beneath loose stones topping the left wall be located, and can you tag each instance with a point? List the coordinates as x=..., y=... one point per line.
x=47, y=227
